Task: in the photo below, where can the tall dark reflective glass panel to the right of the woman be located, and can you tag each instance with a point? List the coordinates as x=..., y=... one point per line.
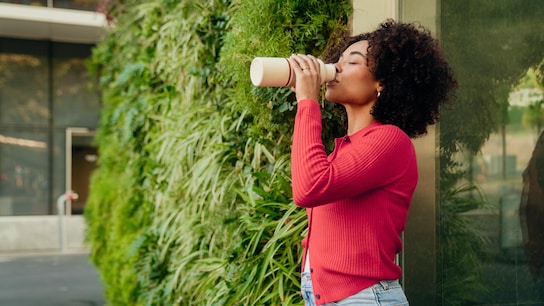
x=490, y=200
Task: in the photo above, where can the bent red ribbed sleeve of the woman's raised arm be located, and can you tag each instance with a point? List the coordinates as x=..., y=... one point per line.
x=371, y=158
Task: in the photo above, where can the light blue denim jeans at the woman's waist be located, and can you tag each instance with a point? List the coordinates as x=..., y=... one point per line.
x=384, y=293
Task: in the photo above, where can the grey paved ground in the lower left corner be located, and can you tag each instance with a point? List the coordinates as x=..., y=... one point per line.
x=49, y=280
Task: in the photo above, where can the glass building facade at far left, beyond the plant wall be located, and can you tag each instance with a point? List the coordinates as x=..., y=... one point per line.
x=45, y=89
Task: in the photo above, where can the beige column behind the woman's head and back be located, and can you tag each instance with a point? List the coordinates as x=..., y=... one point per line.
x=420, y=243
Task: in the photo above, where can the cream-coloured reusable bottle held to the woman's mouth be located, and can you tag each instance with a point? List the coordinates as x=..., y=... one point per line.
x=277, y=72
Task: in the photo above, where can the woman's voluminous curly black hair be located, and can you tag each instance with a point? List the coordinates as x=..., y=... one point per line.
x=410, y=66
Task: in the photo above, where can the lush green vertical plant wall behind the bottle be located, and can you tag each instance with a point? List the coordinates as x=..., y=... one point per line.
x=191, y=204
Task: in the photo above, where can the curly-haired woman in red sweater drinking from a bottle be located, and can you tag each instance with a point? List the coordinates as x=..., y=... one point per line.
x=391, y=83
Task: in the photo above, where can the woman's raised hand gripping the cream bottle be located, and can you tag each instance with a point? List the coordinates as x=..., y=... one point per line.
x=308, y=79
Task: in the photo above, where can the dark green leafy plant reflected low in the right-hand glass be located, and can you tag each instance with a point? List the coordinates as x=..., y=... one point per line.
x=461, y=247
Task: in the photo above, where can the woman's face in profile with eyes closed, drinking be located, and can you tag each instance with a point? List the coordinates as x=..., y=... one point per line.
x=354, y=83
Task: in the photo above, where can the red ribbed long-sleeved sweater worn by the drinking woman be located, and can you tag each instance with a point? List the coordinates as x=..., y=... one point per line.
x=357, y=201
